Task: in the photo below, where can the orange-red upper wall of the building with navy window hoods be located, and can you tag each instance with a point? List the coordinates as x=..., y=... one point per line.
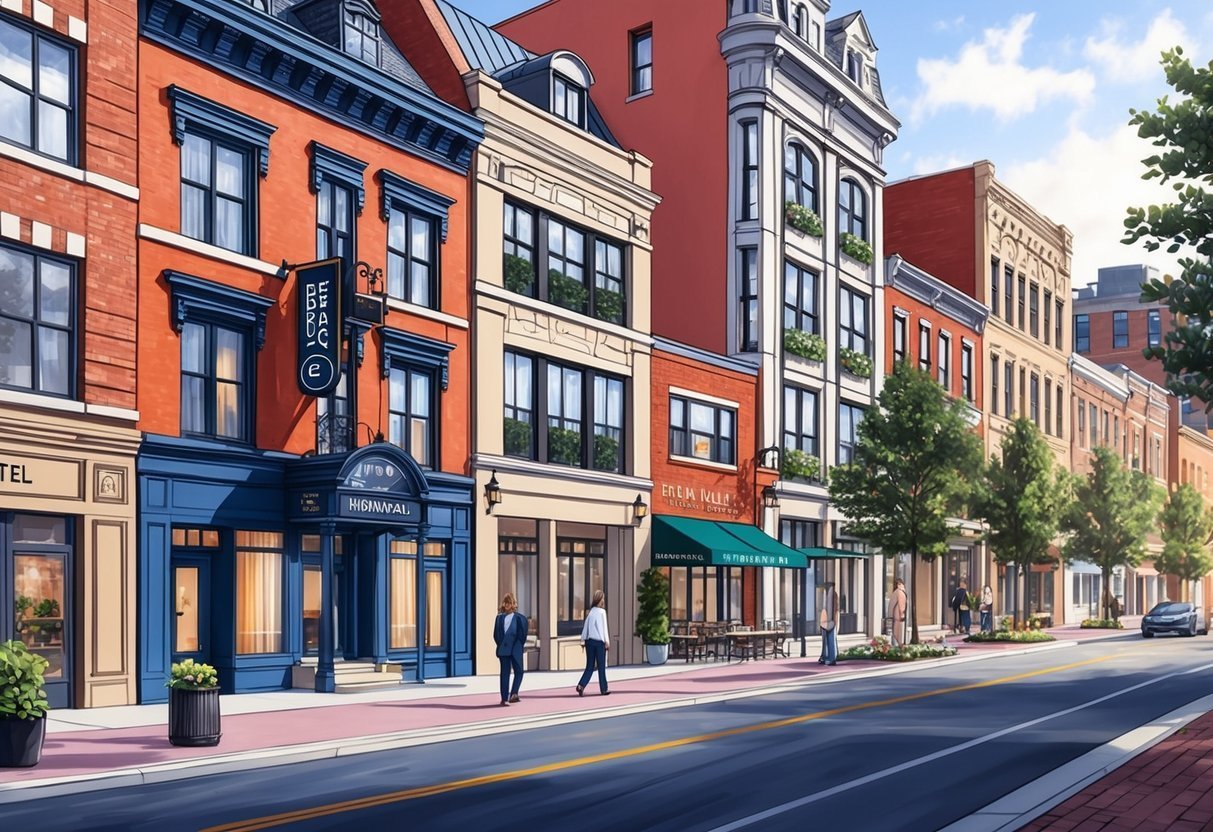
x=286, y=419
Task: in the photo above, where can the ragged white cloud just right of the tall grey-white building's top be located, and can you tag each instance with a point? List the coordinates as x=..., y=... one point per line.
x=989, y=75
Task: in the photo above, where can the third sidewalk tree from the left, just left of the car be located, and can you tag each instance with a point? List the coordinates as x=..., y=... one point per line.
x=1112, y=514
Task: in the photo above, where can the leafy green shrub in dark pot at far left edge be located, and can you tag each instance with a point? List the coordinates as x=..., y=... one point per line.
x=24, y=706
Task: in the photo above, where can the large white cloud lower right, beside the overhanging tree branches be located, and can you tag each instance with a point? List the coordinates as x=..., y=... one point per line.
x=1086, y=184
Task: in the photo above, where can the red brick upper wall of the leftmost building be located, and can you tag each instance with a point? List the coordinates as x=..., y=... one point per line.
x=106, y=277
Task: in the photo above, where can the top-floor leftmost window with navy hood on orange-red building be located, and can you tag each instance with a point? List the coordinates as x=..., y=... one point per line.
x=223, y=152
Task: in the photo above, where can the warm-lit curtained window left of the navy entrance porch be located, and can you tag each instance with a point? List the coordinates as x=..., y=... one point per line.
x=259, y=588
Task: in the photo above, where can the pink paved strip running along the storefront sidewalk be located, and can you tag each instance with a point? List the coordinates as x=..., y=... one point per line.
x=104, y=750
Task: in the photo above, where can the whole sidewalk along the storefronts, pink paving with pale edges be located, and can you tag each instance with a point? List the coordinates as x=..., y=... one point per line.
x=111, y=748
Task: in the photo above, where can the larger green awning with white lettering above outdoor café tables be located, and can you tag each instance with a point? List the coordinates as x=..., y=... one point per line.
x=684, y=542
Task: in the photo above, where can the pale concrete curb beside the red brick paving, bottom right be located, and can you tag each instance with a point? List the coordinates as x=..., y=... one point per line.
x=1028, y=803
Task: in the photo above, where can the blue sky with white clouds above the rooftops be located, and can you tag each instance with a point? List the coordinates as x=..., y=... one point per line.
x=1040, y=89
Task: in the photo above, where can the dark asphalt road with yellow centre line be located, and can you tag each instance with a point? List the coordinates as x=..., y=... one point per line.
x=916, y=751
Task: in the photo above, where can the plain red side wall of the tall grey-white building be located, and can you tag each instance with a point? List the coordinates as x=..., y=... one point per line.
x=682, y=128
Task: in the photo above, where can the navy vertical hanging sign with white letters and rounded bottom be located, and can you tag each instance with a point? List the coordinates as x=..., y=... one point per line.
x=318, y=293
